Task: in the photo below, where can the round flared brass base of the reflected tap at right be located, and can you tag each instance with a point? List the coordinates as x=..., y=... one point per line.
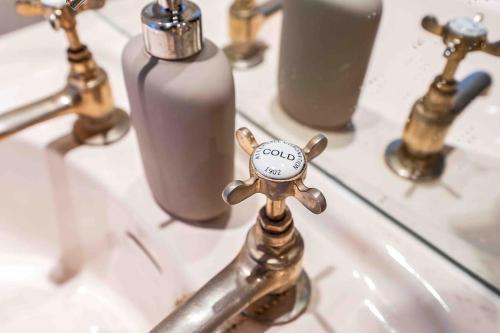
x=413, y=167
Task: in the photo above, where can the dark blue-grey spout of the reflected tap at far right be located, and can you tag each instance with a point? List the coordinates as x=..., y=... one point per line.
x=469, y=88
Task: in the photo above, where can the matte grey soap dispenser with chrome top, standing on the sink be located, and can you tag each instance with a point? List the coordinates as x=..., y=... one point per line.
x=182, y=101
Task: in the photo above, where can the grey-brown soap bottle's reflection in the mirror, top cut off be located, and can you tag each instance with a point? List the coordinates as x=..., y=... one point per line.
x=325, y=51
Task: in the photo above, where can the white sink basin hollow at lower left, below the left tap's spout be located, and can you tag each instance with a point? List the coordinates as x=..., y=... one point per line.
x=71, y=259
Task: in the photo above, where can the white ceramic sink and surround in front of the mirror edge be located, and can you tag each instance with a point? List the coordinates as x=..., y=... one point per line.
x=81, y=208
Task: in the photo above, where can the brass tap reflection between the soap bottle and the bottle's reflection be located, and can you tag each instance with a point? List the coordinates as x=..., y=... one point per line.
x=245, y=20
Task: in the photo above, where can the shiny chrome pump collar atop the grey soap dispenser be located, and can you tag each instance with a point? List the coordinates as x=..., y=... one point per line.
x=172, y=29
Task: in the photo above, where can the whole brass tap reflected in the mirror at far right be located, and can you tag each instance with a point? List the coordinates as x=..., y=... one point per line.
x=420, y=155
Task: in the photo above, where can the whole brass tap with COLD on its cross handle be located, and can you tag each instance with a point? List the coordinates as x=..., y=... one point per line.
x=269, y=265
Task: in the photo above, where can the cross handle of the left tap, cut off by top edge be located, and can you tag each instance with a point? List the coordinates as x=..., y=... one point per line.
x=47, y=7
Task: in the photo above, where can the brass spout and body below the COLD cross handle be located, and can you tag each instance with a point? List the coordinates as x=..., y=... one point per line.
x=268, y=264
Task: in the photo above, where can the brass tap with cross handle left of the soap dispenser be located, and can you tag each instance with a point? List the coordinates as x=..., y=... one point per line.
x=87, y=92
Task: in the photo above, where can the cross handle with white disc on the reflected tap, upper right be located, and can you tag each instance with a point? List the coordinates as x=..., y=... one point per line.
x=462, y=35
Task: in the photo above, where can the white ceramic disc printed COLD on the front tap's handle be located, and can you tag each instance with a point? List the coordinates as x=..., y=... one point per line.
x=278, y=160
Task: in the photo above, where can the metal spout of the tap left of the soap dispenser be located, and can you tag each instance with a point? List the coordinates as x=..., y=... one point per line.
x=47, y=108
